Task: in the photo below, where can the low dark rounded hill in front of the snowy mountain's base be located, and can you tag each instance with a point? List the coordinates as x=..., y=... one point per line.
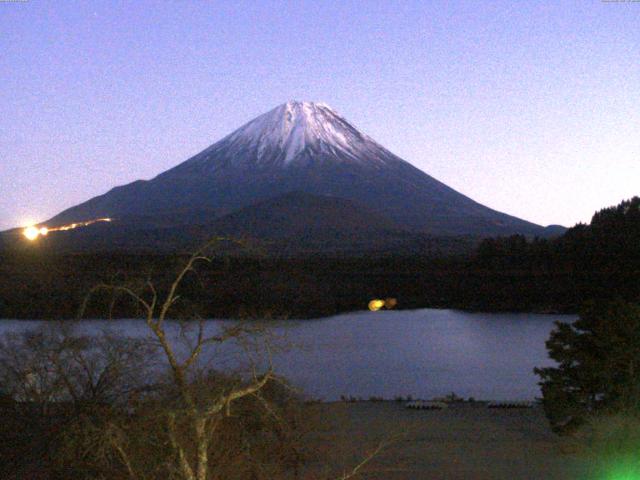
x=300, y=223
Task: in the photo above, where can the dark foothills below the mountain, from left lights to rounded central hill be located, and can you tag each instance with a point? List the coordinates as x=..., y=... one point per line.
x=295, y=224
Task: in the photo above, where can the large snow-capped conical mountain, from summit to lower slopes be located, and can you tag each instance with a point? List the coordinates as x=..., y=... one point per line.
x=308, y=149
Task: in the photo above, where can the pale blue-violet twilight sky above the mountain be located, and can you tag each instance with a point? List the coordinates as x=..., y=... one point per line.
x=529, y=107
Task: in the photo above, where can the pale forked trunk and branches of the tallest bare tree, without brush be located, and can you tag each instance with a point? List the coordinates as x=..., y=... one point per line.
x=201, y=414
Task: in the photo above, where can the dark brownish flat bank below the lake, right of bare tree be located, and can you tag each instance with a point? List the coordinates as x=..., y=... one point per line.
x=458, y=443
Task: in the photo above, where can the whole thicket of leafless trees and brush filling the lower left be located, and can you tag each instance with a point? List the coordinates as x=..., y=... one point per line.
x=118, y=417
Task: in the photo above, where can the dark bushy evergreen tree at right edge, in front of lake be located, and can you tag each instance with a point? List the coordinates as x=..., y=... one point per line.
x=598, y=370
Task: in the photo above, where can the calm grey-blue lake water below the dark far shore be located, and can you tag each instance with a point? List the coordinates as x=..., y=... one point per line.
x=423, y=353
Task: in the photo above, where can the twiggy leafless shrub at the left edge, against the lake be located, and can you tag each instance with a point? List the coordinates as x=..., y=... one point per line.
x=53, y=364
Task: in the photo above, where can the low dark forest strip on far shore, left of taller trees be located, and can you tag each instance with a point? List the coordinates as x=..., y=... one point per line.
x=42, y=286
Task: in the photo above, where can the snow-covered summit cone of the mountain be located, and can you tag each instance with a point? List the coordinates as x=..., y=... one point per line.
x=294, y=132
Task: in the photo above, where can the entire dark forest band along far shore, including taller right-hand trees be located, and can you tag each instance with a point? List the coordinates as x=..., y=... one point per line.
x=596, y=261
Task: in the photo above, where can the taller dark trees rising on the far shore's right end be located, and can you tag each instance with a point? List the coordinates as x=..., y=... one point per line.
x=599, y=261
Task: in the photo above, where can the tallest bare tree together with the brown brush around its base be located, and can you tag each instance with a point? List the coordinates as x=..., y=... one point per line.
x=208, y=420
